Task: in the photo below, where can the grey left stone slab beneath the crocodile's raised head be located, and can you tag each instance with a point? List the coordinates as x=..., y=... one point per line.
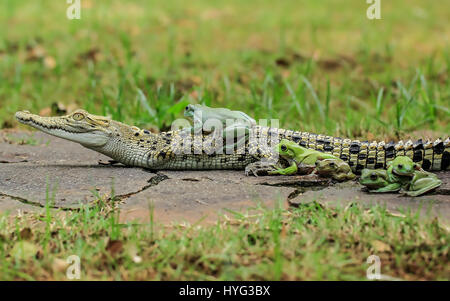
x=62, y=172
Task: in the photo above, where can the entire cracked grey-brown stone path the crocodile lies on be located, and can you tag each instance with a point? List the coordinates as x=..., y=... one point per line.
x=32, y=161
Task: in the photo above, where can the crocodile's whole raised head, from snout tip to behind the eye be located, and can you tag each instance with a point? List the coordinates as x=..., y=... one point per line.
x=79, y=126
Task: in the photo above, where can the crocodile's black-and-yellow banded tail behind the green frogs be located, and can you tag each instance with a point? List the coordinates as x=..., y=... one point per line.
x=431, y=155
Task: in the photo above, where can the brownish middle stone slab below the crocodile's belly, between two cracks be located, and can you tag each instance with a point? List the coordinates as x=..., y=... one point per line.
x=192, y=196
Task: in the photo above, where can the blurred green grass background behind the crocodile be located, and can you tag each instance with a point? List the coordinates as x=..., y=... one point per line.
x=319, y=66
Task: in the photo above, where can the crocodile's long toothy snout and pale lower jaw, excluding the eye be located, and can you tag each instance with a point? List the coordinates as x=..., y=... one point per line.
x=57, y=126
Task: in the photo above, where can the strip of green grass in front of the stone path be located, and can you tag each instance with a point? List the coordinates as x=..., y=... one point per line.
x=306, y=243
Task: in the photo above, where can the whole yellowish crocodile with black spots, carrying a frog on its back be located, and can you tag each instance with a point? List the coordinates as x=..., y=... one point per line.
x=173, y=150
